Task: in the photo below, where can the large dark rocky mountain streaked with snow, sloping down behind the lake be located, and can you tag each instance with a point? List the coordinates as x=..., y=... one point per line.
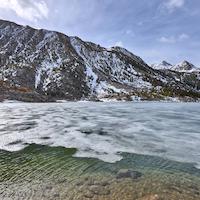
x=42, y=65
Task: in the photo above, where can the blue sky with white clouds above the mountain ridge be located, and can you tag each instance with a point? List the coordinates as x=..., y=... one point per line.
x=155, y=30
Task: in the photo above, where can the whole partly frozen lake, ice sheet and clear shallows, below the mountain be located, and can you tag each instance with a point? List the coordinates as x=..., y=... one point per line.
x=92, y=150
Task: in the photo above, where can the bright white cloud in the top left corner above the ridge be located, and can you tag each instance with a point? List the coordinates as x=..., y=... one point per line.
x=27, y=9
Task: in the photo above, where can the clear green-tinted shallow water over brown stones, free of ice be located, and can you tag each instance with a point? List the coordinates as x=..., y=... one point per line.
x=42, y=172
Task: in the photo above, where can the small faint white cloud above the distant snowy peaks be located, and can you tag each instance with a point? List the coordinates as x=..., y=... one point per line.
x=174, y=39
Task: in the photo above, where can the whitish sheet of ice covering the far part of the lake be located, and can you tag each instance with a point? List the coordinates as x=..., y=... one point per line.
x=103, y=130
